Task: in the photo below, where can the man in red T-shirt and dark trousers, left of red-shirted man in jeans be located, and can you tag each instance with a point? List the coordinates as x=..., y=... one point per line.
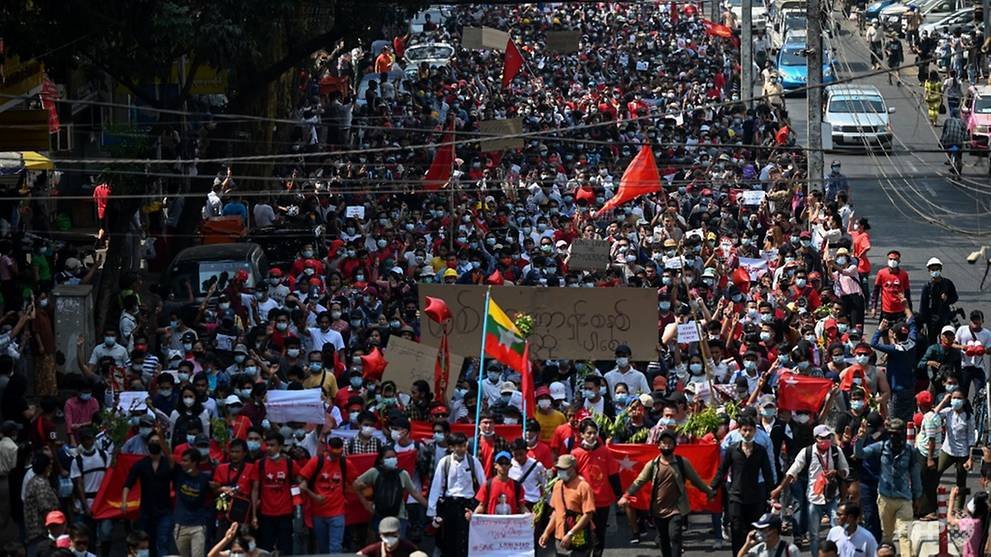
x=271, y=497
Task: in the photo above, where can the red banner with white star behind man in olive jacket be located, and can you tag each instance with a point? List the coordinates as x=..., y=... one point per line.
x=704, y=459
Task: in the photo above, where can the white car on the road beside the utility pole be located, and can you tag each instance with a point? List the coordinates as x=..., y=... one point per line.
x=858, y=115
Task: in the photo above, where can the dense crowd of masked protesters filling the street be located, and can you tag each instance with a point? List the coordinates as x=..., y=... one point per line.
x=217, y=477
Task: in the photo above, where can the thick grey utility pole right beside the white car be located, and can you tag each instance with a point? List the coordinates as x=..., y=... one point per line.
x=814, y=58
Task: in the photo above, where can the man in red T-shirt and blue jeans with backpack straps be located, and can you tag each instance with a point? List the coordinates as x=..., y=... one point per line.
x=323, y=480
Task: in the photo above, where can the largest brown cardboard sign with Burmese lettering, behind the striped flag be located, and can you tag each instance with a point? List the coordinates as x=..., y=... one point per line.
x=576, y=323
